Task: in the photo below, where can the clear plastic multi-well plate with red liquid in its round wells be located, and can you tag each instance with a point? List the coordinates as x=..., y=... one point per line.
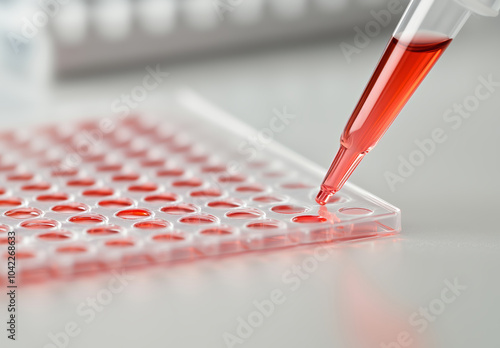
x=165, y=185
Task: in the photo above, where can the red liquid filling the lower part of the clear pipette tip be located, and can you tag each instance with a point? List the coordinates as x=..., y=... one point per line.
x=400, y=70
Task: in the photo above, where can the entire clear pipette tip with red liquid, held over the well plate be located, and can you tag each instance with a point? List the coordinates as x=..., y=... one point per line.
x=423, y=33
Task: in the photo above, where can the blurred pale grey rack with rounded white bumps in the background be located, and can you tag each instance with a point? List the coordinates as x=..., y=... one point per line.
x=92, y=35
